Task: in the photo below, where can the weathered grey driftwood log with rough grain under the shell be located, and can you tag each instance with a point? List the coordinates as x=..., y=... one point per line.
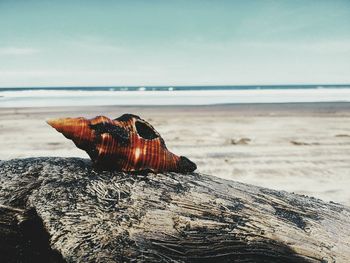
x=57, y=210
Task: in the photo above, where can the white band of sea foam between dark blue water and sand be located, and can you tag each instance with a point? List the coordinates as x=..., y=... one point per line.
x=43, y=98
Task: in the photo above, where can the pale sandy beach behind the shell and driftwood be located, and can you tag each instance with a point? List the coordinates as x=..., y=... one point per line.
x=302, y=148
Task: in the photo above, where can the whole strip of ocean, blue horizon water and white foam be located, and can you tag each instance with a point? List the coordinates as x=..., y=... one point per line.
x=170, y=95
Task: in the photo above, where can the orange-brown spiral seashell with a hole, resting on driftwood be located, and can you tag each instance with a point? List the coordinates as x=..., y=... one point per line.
x=127, y=143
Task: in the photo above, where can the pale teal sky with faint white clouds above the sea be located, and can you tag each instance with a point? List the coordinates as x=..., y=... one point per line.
x=143, y=43
